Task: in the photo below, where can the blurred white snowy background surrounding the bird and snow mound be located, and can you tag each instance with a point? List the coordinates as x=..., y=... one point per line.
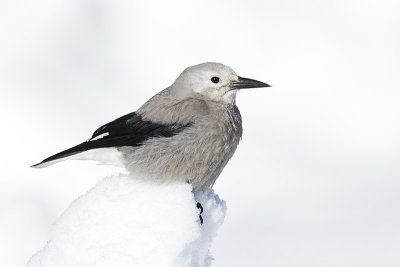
x=316, y=178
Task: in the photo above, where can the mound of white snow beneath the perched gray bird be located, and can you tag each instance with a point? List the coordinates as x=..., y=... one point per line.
x=125, y=222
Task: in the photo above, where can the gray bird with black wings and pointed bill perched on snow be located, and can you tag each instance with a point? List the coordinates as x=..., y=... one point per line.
x=187, y=132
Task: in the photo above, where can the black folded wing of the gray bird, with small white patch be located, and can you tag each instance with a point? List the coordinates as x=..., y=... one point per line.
x=128, y=130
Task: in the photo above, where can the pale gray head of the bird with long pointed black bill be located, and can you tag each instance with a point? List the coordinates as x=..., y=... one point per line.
x=213, y=81
